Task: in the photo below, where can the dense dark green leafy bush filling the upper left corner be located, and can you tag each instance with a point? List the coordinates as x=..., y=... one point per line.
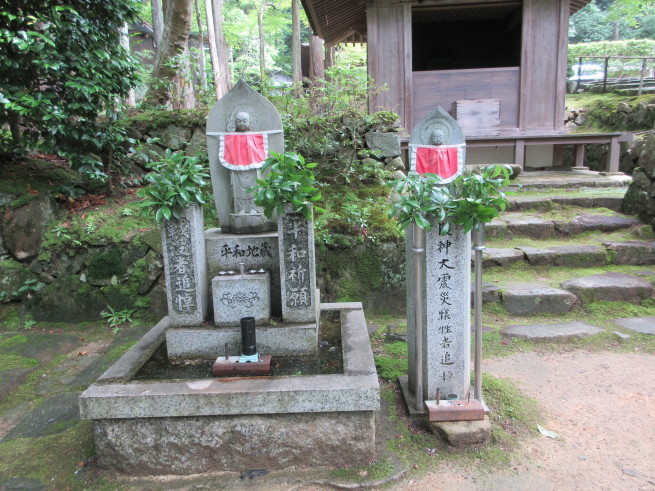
x=61, y=65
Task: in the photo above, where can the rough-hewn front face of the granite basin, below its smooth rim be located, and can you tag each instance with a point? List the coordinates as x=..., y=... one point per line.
x=203, y=444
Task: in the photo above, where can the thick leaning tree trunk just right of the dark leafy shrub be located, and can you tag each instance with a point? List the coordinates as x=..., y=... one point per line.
x=175, y=38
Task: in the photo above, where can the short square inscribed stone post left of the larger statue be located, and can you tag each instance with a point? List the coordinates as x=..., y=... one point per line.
x=186, y=269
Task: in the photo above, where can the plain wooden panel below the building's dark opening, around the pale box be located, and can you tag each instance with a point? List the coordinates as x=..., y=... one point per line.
x=443, y=87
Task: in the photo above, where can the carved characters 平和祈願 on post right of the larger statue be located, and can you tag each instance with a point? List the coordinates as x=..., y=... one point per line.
x=296, y=261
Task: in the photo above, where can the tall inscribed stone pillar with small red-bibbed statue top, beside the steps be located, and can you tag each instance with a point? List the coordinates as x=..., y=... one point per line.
x=437, y=146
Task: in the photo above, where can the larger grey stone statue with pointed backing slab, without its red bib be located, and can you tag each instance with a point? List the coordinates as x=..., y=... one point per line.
x=236, y=211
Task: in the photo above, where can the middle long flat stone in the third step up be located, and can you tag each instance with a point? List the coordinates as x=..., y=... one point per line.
x=579, y=256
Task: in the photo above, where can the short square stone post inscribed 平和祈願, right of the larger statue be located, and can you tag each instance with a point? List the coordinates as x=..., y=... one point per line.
x=297, y=268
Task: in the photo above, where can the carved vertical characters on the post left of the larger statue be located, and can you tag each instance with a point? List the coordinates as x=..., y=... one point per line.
x=180, y=262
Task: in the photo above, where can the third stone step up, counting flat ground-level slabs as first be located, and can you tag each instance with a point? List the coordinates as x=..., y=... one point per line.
x=634, y=253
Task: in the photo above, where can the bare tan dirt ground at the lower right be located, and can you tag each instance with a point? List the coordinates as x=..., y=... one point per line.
x=602, y=406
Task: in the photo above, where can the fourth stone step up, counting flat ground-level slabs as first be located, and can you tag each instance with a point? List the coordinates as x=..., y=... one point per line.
x=512, y=225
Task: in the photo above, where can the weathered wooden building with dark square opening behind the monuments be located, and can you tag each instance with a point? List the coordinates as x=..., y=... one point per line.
x=500, y=62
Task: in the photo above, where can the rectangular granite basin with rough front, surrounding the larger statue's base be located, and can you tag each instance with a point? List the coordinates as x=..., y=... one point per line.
x=191, y=426
